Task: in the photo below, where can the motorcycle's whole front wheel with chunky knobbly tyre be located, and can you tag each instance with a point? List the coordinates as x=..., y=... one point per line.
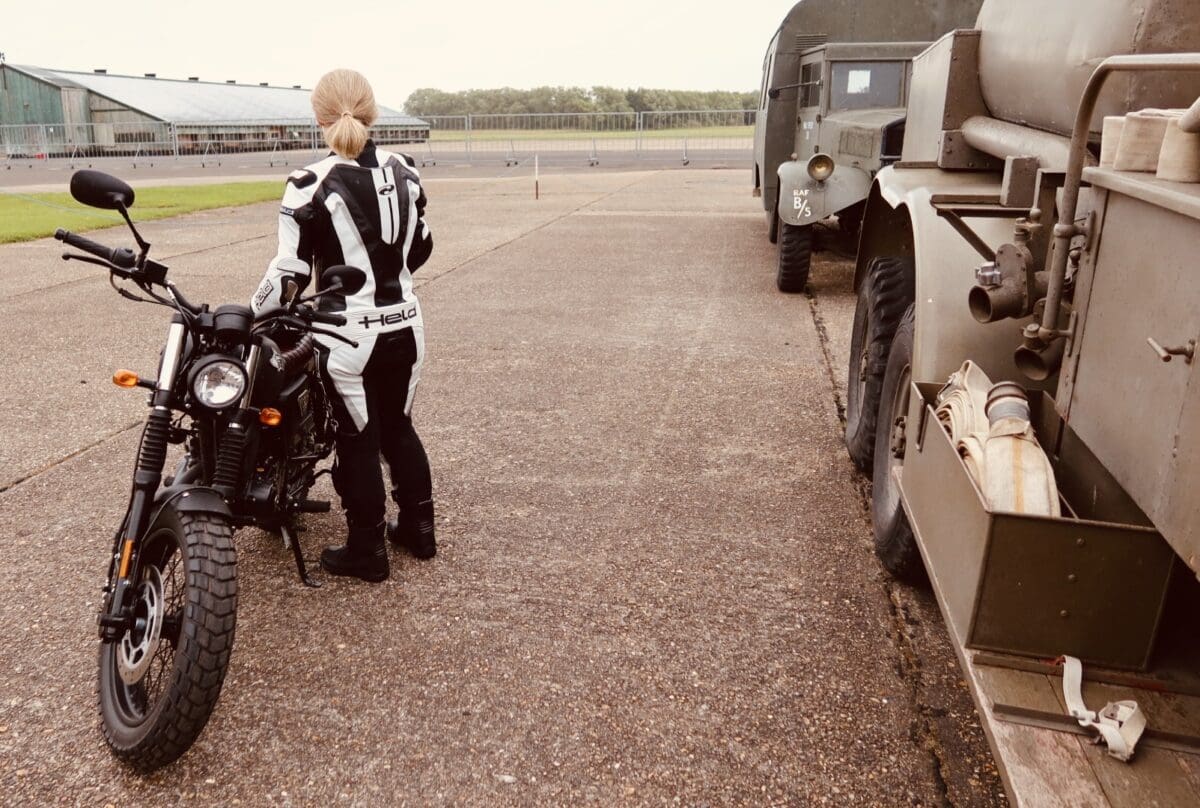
x=160, y=681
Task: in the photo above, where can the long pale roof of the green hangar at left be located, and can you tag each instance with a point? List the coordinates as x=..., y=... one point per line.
x=199, y=103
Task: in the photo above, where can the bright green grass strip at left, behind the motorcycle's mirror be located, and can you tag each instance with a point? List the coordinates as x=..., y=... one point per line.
x=38, y=216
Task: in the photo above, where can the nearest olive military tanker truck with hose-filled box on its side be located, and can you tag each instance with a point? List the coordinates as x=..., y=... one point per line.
x=1024, y=230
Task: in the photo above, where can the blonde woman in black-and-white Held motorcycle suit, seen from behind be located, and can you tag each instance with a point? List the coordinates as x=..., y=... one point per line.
x=363, y=207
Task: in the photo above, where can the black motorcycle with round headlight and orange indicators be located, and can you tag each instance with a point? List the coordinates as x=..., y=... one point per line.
x=244, y=398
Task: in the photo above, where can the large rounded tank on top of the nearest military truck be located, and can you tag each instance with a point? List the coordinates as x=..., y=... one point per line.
x=1036, y=57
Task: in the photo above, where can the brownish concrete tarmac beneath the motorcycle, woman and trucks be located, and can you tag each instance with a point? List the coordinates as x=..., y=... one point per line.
x=656, y=582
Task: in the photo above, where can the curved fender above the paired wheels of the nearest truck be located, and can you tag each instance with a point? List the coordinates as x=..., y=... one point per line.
x=901, y=218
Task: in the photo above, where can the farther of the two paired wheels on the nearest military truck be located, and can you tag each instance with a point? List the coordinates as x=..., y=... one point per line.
x=886, y=291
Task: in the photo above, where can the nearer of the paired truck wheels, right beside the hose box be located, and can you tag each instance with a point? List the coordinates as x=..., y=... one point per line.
x=895, y=542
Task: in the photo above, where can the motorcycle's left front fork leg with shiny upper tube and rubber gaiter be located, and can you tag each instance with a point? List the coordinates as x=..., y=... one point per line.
x=147, y=477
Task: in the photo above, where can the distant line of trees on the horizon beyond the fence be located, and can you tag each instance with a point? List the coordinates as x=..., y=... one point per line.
x=557, y=100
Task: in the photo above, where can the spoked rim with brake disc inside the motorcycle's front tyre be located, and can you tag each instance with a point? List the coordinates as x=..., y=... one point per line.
x=145, y=660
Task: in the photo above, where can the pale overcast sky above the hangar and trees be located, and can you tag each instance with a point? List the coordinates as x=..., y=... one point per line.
x=401, y=45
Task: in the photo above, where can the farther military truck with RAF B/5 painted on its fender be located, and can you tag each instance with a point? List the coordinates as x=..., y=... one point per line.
x=833, y=93
